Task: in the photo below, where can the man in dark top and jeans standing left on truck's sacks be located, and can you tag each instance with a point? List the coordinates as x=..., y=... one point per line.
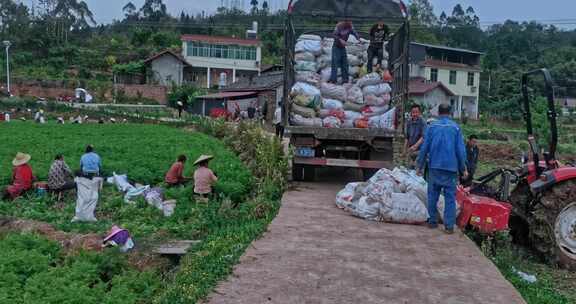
x=342, y=32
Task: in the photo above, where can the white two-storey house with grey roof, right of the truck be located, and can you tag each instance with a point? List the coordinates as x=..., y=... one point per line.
x=458, y=70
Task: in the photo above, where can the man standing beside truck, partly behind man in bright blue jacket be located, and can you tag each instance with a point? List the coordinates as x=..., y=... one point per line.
x=415, y=129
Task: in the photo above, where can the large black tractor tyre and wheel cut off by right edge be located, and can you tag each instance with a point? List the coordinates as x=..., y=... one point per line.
x=553, y=230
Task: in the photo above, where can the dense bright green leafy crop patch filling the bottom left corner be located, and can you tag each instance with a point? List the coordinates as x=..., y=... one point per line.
x=34, y=270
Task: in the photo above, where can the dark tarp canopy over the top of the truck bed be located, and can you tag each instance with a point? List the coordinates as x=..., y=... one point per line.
x=388, y=9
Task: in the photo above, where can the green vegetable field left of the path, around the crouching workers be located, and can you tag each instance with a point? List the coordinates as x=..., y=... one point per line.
x=225, y=226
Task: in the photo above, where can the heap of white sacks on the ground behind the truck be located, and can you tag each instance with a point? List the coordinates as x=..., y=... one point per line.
x=398, y=196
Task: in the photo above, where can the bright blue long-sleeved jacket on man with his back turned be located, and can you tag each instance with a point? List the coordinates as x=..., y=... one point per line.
x=443, y=147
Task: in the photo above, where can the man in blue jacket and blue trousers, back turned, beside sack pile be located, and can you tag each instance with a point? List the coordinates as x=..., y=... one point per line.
x=445, y=153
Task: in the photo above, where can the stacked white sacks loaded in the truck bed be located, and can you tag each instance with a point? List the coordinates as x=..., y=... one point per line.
x=363, y=103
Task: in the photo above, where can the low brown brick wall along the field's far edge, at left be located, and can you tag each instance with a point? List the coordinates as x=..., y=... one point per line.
x=50, y=91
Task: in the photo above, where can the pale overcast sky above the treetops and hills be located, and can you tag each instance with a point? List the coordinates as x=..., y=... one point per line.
x=488, y=10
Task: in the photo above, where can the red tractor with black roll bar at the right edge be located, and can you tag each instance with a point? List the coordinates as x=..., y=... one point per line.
x=542, y=206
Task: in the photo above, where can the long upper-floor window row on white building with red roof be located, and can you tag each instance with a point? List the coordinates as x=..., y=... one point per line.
x=199, y=49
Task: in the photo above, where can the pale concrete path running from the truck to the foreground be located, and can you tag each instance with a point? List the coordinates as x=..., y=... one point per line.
x=316, y=253
